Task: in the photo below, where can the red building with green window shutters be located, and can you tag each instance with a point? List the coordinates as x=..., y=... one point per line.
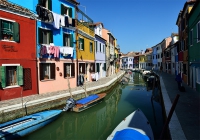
x=18, y=71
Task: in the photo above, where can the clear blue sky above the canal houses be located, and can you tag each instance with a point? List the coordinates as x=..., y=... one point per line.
x=137, y=24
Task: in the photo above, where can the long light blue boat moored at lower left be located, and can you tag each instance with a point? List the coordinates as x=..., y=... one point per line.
x=27, y=124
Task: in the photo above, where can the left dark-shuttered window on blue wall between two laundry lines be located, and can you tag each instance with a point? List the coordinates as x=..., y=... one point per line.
x=45, y=36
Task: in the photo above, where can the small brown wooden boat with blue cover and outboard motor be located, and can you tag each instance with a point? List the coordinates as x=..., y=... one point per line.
x=85, y=103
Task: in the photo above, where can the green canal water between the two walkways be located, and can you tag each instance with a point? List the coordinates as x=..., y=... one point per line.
x=99, y=121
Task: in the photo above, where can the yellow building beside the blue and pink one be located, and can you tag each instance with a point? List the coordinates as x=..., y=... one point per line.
x=85, y=52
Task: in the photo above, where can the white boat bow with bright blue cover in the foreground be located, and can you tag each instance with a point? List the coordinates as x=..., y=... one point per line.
x=134, y=127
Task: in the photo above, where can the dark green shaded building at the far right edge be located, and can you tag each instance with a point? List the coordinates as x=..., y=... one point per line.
x=193, y=49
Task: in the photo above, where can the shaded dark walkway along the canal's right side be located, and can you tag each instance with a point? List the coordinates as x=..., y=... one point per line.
x=185, y=121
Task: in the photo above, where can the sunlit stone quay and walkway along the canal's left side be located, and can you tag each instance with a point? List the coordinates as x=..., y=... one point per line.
x=28, y=105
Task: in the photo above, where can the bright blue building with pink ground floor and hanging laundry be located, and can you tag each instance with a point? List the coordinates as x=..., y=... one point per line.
x=56, y=50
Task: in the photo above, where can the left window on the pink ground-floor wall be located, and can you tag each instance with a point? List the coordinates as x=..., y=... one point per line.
x=47, y=71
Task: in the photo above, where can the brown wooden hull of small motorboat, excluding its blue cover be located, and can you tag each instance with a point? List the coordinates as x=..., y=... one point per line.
x=82, y=107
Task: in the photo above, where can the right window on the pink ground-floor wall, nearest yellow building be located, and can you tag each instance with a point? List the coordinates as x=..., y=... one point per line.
x=69, y=70
